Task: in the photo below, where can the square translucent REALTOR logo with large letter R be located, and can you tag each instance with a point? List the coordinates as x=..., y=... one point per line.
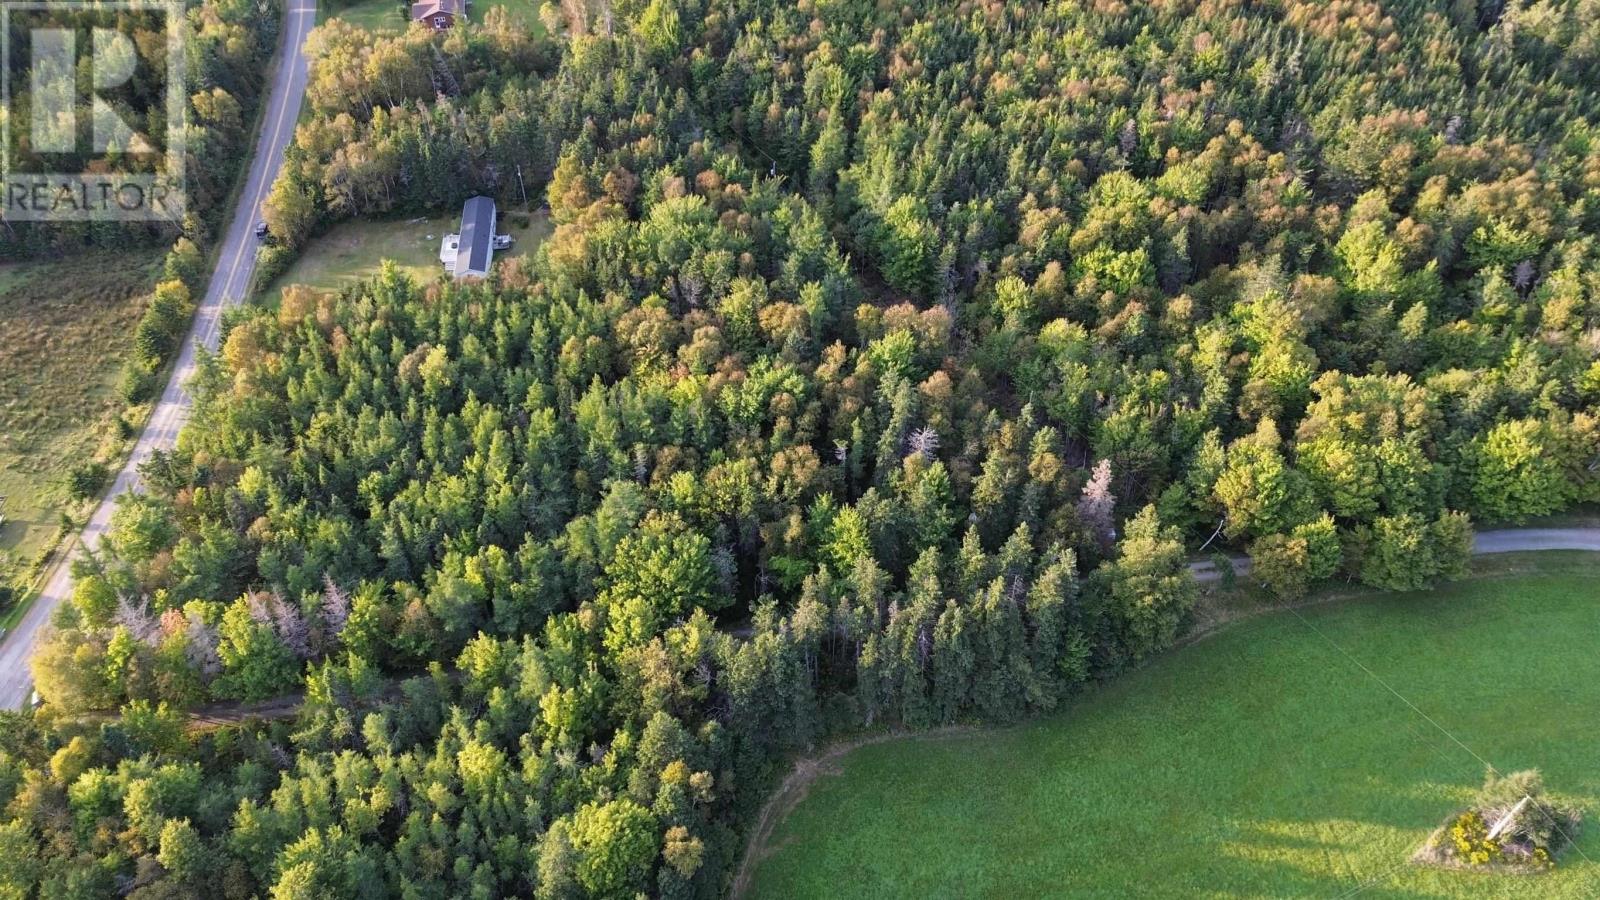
x=92, y=111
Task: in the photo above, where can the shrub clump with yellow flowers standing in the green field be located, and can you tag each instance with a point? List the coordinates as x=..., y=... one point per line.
x=1511, y=826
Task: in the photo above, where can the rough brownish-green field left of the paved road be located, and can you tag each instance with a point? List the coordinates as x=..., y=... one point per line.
x=68, y=327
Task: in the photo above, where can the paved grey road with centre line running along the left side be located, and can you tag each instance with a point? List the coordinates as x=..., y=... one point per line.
x=234, y=268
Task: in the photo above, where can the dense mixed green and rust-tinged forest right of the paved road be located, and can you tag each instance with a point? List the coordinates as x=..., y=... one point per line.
x=884, y=369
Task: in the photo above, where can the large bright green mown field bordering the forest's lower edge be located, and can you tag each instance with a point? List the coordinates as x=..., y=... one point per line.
x=1257, y=763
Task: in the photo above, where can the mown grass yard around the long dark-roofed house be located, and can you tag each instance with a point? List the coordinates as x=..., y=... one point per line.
x=356, y=251
